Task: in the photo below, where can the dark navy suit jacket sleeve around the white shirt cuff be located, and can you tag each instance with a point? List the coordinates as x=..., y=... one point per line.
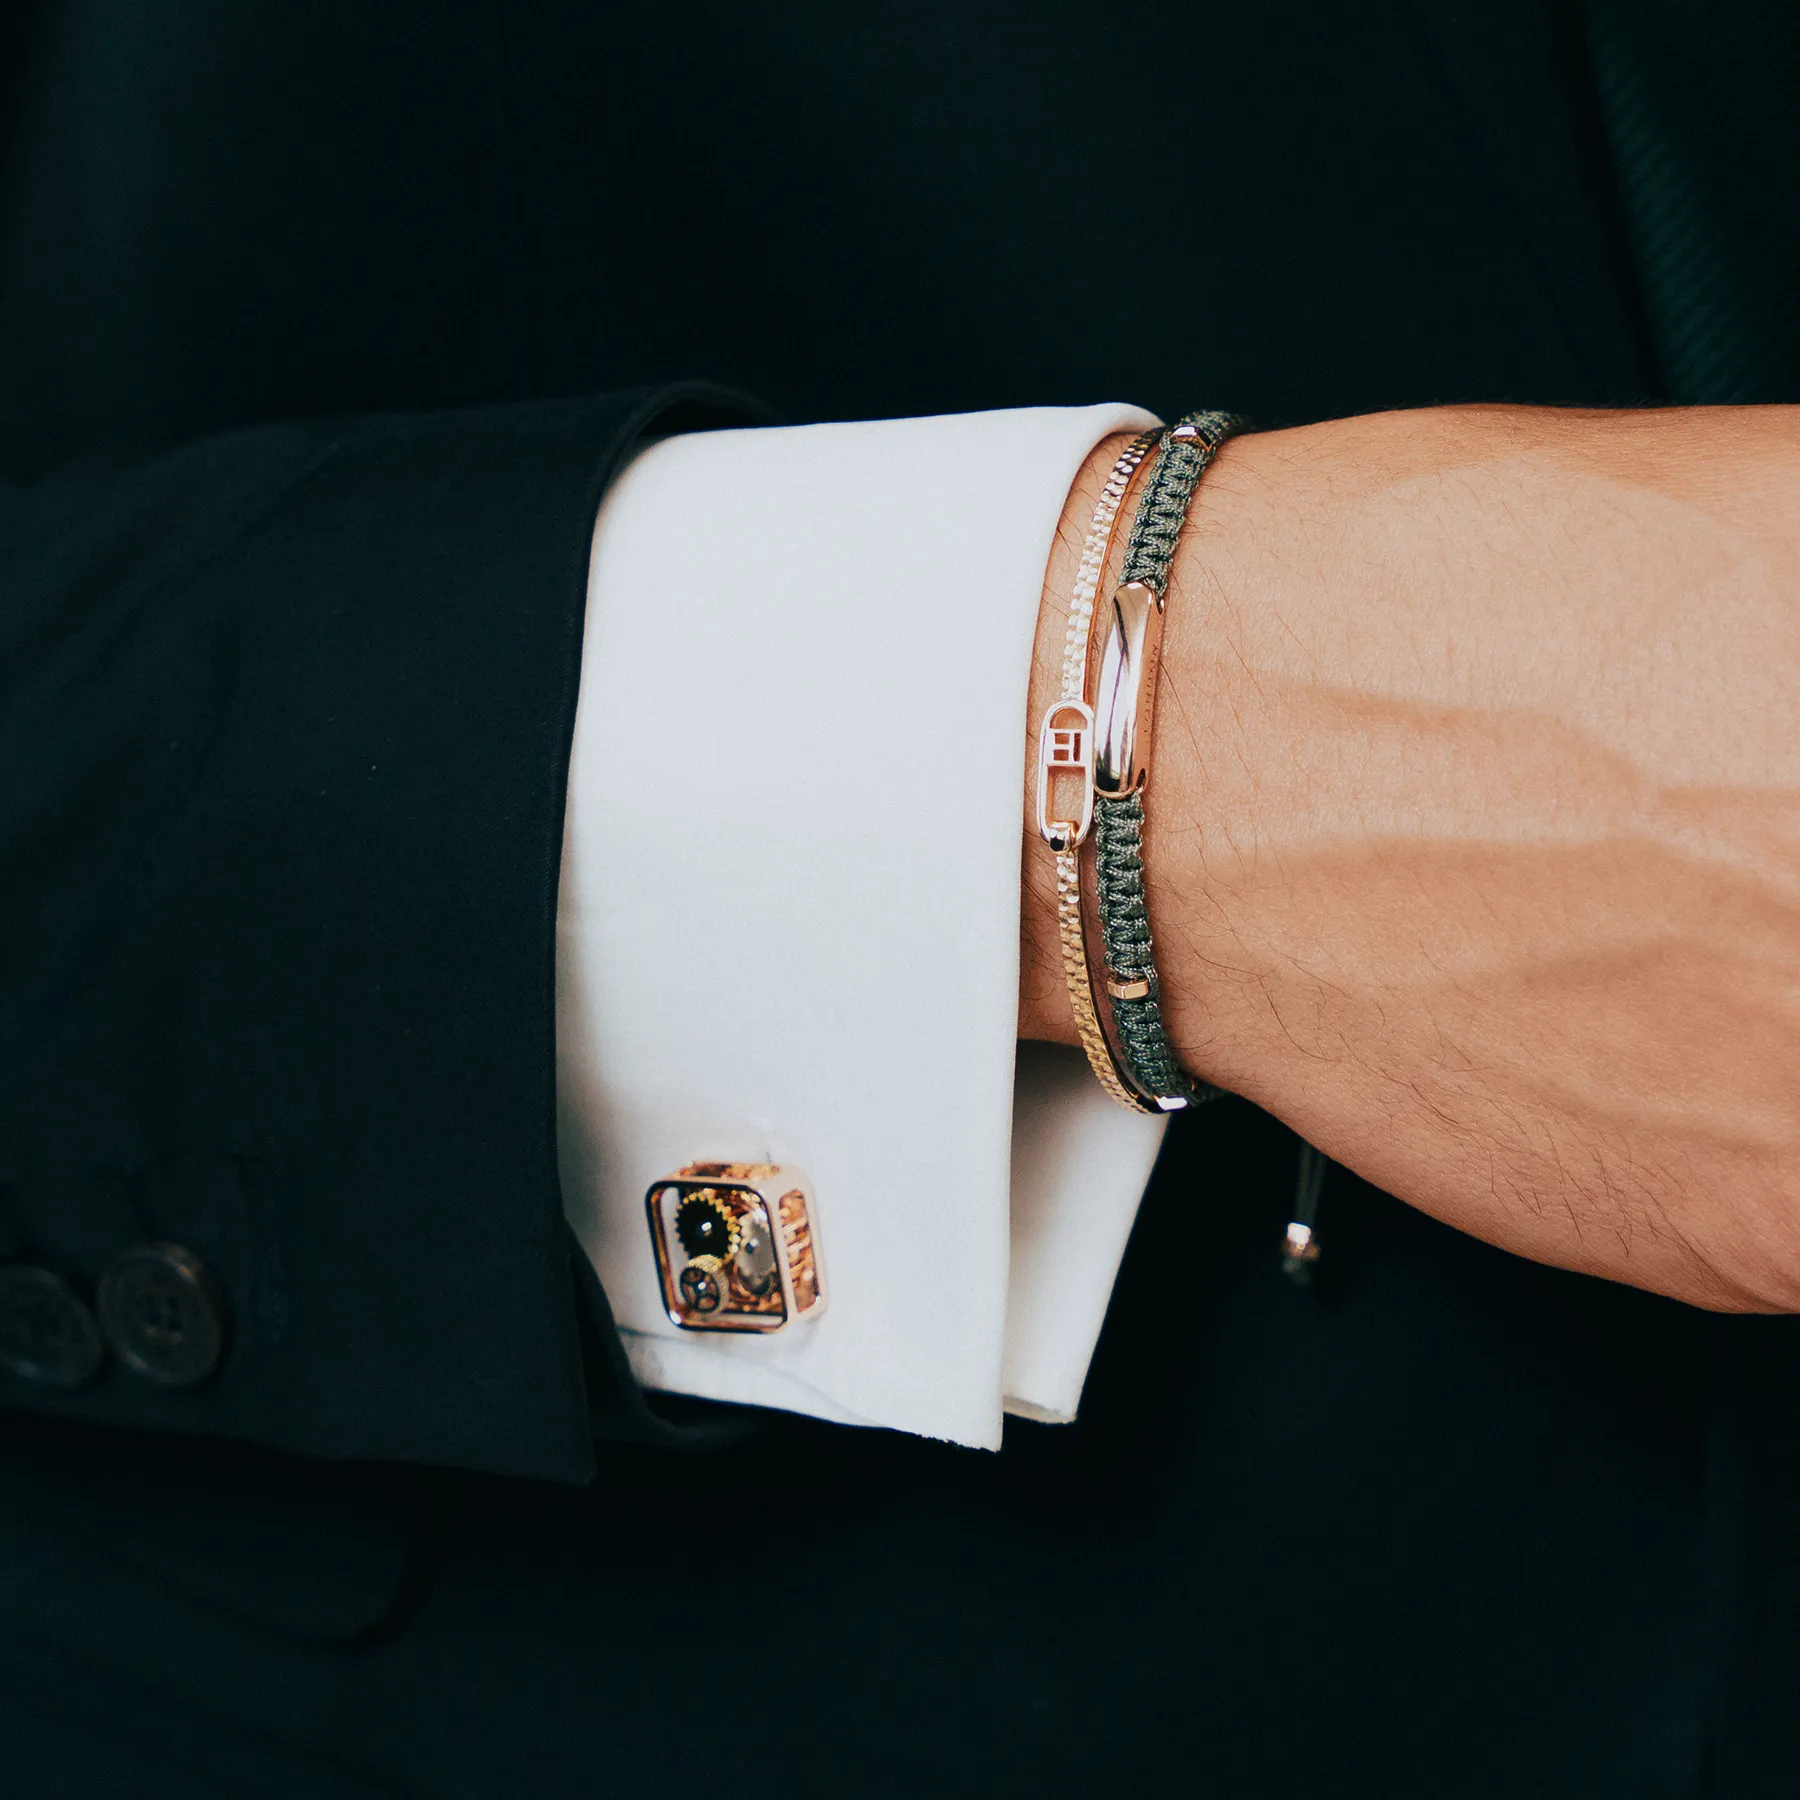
x=285, y=723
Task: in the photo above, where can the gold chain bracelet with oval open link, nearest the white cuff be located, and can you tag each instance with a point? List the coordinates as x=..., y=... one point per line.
x=1066, y=755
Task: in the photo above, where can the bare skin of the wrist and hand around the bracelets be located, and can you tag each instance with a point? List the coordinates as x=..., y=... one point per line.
x=1475, y=822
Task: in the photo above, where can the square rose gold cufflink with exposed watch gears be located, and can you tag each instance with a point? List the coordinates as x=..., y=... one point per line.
x=735, y=1246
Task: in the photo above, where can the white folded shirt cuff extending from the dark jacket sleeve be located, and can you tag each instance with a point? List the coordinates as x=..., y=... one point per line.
x=789, y=921
